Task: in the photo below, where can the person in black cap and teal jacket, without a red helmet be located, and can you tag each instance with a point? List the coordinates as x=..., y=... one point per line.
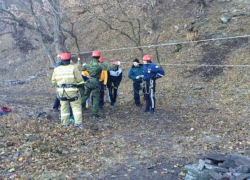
x=135, y=73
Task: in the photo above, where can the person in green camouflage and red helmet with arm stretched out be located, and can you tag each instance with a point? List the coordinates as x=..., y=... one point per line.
x=94, y=67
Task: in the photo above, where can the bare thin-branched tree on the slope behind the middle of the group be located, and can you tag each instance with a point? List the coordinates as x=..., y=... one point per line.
x=118, y=17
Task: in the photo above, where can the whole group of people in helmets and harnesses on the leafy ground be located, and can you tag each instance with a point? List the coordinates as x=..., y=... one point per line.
x=74, y=85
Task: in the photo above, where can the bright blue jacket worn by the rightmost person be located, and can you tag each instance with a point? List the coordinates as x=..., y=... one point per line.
x=152, y=70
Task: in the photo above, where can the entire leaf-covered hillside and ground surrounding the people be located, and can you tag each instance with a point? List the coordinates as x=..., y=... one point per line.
x=202, y=103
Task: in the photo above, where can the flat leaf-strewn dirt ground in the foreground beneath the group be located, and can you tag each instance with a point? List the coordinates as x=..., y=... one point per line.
x=123, y=144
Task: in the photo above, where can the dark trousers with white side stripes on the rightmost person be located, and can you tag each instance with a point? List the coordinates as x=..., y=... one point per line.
x=150, y=94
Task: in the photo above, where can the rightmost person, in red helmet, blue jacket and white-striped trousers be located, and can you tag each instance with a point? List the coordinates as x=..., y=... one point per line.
x=151, y=73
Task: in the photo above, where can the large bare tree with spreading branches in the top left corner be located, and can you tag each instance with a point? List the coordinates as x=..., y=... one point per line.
x=43, y=18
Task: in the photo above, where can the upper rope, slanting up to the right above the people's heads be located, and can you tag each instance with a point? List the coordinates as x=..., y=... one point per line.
x=165, y=44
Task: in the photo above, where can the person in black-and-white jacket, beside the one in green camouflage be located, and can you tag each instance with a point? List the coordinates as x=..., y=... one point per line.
x=114, y=80
